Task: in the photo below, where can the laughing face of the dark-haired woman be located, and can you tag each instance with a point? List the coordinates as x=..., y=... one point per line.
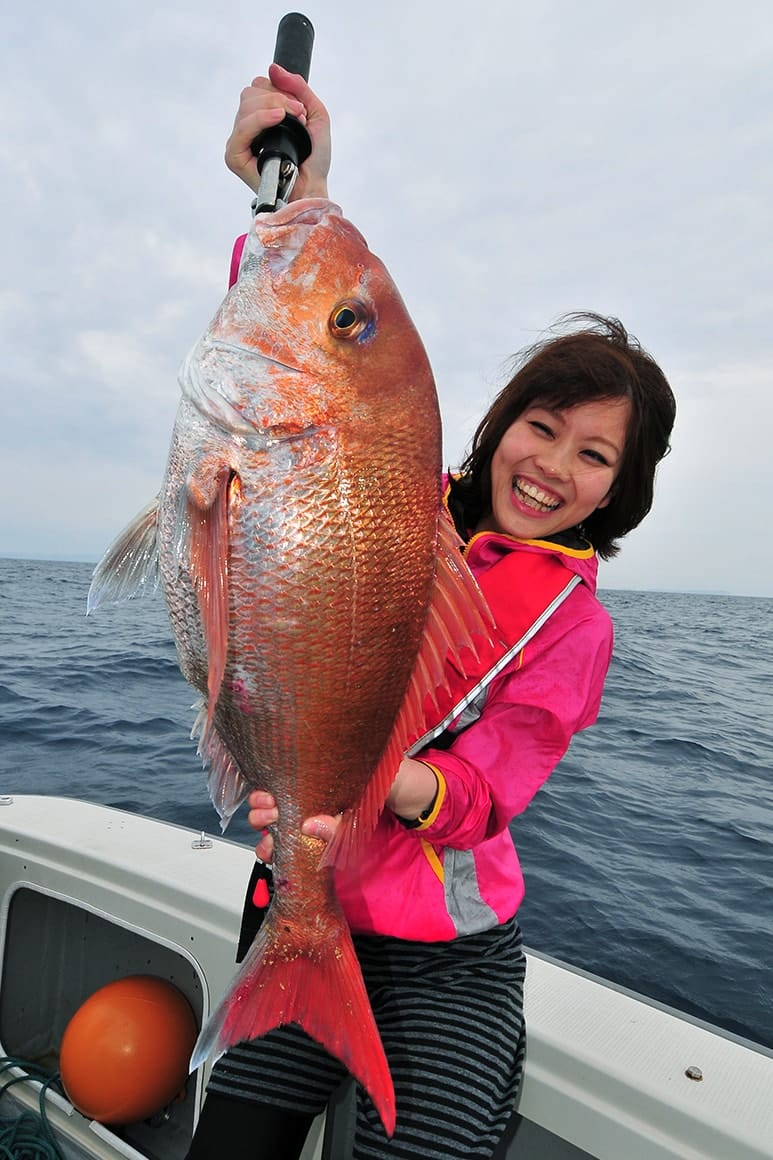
x=554, y=468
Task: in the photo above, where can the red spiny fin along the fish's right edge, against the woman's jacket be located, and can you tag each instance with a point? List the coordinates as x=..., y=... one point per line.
x=458, y=614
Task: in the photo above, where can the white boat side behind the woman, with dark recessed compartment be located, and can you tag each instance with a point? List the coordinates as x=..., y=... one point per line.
x=89, y=895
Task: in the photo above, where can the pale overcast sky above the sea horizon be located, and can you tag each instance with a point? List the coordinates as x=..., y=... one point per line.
x=509, y=162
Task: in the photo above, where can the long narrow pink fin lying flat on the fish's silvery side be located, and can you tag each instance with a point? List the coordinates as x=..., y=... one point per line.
x=208, y=543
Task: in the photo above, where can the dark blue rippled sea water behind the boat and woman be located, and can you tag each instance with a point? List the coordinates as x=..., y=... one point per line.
x=648, y=855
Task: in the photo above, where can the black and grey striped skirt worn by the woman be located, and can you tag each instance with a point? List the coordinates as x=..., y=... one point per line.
x=451, y=1017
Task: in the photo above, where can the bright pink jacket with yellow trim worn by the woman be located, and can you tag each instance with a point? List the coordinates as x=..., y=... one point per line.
x=459, y=873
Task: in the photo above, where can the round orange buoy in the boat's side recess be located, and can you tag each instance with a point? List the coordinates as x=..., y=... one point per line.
x=125, y=1053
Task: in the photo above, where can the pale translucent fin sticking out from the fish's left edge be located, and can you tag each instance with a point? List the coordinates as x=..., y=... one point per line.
x=131, y=565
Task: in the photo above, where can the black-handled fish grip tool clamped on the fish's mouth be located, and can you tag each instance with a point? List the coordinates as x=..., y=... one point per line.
x=283, y=150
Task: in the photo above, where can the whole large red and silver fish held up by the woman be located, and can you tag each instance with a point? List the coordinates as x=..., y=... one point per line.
x=313, y=588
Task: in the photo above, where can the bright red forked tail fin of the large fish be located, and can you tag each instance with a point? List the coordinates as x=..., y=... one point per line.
x=321, y=989
